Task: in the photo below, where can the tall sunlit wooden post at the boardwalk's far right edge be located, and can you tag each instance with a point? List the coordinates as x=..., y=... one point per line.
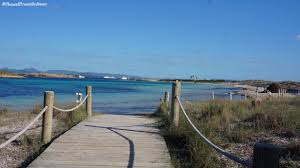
x=175, y=105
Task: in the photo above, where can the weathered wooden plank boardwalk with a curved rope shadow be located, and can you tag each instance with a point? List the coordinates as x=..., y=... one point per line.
x=108, y=141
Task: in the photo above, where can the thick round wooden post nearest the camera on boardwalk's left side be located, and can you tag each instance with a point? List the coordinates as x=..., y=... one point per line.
x=47, y=117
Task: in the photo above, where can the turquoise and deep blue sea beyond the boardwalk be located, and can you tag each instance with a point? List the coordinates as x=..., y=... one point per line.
x=109, y=96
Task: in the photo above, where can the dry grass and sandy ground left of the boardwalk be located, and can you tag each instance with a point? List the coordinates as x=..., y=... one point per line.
x=29, y=145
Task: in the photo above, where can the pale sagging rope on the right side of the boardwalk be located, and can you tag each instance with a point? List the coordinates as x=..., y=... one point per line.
x=245, y=163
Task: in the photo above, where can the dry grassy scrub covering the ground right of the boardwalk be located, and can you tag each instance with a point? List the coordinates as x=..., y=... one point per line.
x=234, y=125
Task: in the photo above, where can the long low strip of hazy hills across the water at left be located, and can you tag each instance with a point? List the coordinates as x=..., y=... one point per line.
x=68, y=72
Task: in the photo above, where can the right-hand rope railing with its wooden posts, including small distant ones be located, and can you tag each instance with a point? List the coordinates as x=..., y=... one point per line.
x=263, y=153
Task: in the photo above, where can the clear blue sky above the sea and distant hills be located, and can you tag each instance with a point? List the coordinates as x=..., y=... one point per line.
x=213, y=39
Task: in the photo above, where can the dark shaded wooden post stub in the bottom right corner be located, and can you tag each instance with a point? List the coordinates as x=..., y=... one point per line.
x=265, y=155
